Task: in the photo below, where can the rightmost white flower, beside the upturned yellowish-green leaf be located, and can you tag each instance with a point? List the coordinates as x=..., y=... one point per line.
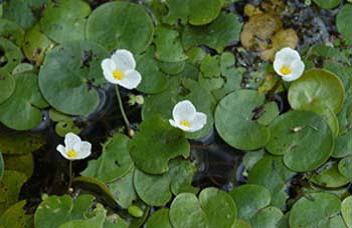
x=288, y=64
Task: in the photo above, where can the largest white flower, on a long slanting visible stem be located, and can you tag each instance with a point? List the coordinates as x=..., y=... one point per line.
x=120, y=69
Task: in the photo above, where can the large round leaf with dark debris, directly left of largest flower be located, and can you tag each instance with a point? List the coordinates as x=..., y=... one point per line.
x=69, y=76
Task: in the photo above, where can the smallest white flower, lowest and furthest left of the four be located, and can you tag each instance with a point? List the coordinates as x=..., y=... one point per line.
x=75, y=148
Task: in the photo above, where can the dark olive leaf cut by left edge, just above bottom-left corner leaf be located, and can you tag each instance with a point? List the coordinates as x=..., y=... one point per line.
x=10, y=187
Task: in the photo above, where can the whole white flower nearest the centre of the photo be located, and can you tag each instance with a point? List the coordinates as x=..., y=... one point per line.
x=187, y=118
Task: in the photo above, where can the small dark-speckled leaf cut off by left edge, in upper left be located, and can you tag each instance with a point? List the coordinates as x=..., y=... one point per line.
x=12, y=55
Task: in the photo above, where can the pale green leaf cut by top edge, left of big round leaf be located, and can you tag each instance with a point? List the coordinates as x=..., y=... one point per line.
x=65, y=20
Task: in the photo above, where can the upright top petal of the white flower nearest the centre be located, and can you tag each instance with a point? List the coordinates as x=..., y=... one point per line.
x=183, y=110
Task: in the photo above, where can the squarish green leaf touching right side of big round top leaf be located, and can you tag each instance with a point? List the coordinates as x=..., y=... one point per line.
x=168, y=45
